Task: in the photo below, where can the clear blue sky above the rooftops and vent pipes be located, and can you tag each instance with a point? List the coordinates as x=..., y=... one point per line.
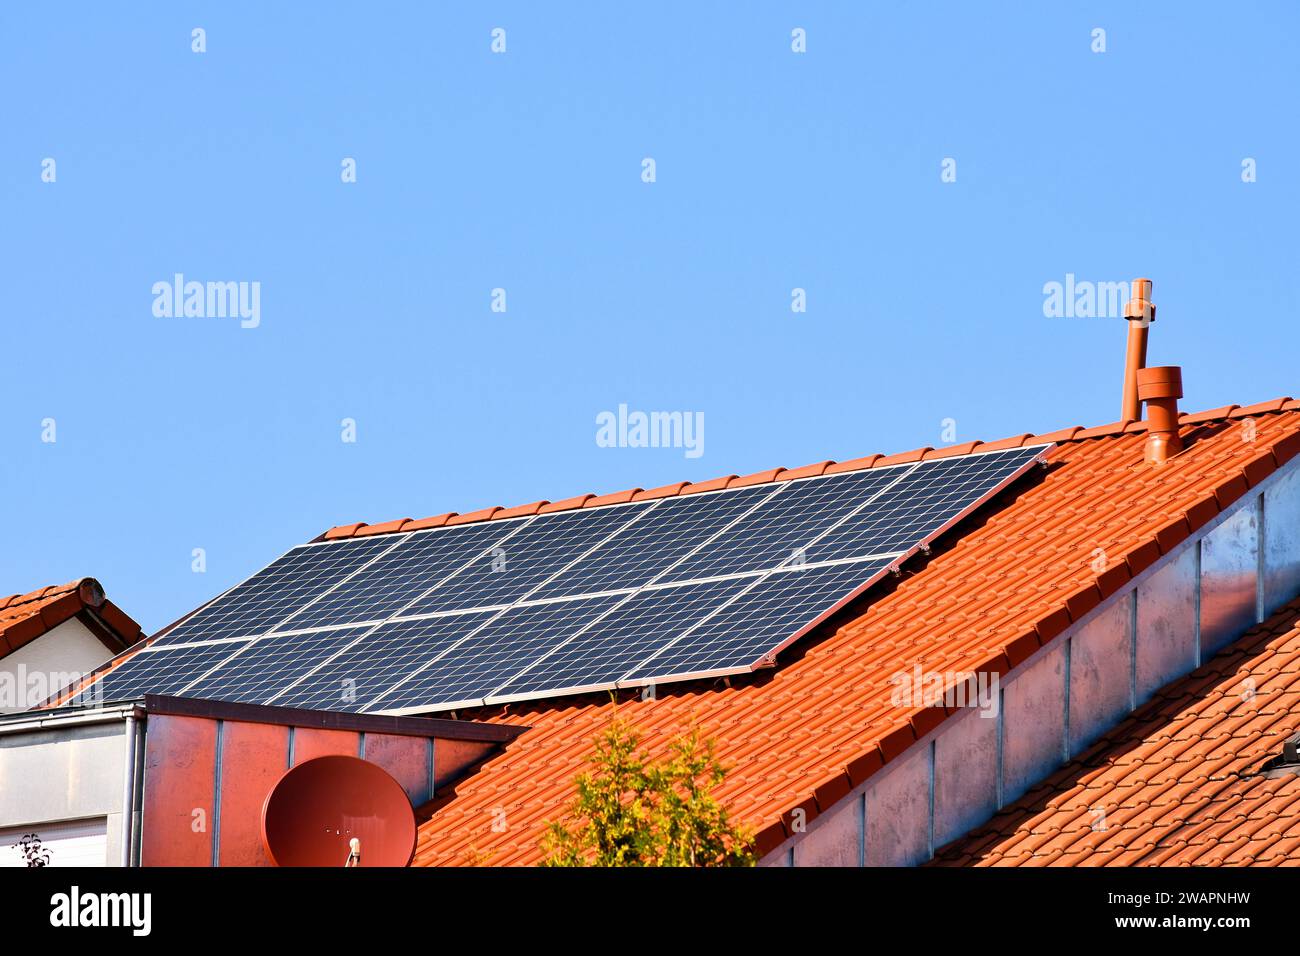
x=523, y=171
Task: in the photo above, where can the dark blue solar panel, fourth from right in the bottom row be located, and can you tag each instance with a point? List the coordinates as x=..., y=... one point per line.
x=375, y=664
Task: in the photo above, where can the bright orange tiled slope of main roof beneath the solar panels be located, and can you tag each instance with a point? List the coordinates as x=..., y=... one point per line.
x=1007, y=582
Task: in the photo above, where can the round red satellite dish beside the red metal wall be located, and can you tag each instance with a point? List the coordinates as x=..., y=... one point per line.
x=320, y=807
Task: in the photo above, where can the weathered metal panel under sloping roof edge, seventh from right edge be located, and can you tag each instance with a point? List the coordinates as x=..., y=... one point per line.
x=899, y=814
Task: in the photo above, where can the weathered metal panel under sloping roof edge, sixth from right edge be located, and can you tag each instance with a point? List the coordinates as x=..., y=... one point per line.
x=965, y=775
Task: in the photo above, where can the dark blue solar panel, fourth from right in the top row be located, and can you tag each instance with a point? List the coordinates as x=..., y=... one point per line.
x=527, y=560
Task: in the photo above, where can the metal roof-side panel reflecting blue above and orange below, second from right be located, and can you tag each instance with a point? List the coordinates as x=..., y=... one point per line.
x=1230, y=557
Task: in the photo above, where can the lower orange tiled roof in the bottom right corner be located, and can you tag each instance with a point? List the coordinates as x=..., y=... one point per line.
x=1186, y=781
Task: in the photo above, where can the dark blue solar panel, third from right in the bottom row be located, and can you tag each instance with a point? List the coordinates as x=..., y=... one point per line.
x=482, y=663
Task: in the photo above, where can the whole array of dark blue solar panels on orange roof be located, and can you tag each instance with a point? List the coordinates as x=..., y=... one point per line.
x=618, y=596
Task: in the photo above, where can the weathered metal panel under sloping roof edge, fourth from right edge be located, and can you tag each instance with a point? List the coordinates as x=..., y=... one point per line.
x=1100, y=673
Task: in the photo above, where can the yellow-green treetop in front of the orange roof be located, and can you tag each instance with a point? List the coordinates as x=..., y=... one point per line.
x=632, y=811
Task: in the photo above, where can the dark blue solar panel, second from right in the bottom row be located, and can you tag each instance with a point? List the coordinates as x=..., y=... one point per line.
x=616, y=644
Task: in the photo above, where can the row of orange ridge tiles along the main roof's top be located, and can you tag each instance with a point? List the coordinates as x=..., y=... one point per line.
x=772, y=475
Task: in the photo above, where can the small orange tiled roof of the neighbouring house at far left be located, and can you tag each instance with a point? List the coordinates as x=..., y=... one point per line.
x=24, y=618
